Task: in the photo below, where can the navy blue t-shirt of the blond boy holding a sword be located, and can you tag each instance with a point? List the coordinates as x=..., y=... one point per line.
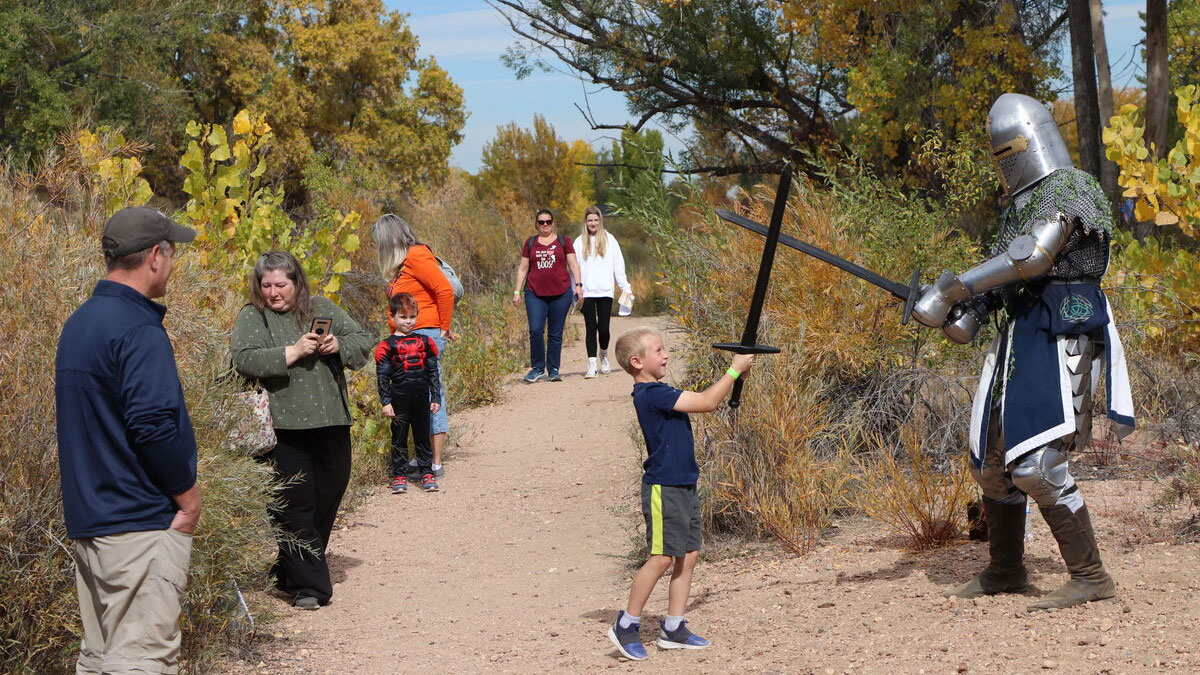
x=669, y=441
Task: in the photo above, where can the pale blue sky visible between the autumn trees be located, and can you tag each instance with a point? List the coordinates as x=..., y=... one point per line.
x=469, y=37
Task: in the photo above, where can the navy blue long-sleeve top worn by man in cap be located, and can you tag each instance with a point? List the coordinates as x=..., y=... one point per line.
x=125, y=439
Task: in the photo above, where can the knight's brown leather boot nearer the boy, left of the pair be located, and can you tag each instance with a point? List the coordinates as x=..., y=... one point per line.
x=1006, y=548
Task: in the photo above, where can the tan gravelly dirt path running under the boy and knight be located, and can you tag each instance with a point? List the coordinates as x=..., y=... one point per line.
x=518, y=566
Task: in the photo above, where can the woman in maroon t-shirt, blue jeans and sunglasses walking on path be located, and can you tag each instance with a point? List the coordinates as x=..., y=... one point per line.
x=545, y=274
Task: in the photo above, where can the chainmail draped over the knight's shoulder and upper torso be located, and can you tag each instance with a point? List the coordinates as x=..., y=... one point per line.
x=1078, y=195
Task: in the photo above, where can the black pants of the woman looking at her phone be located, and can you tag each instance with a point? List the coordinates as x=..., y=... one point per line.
x=316, y=467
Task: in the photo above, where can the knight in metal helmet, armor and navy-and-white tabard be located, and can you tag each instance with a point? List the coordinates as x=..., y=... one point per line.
x=1034, y=405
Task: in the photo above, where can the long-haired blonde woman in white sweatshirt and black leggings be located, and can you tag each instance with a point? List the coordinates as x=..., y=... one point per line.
x=601, y=262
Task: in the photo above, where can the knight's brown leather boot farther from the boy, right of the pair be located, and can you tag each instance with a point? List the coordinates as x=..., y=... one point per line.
x=1077, y=542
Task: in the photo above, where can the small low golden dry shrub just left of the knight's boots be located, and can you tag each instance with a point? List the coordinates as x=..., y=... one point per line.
x=914, y=497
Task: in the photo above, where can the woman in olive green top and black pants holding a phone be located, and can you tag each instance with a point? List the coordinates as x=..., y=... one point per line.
x=302, y=365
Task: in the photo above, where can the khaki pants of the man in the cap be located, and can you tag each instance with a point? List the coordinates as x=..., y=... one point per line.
x=131, y=588
